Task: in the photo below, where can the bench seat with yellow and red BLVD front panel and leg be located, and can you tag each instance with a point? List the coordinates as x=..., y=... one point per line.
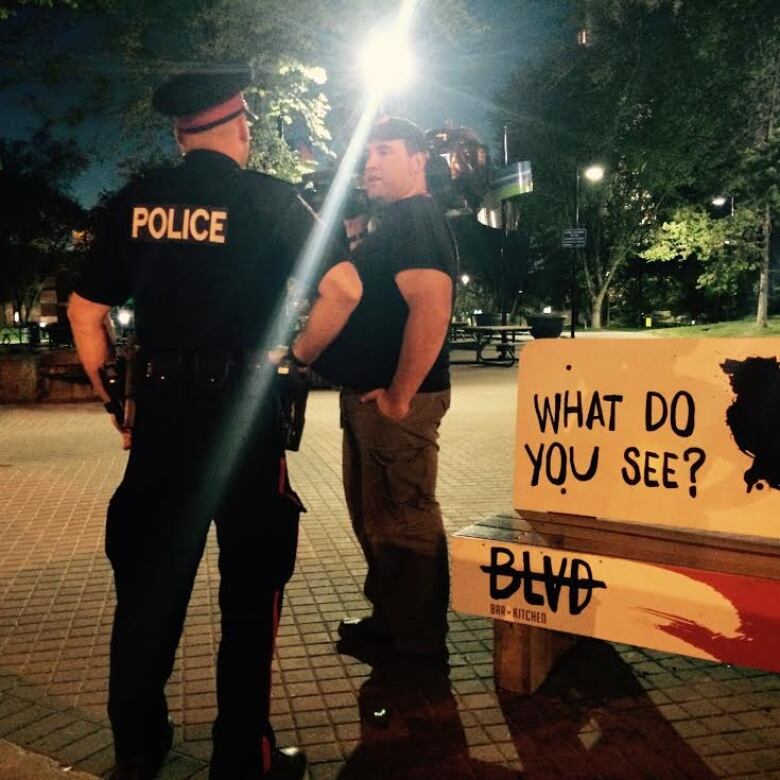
x=545, y=578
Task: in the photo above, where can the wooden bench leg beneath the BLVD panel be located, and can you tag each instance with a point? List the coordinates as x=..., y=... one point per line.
x=523, y=655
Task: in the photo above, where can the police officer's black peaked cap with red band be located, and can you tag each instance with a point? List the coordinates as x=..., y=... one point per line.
x=201, y=99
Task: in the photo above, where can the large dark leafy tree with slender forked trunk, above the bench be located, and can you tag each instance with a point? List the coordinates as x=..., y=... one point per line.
x=658, y=97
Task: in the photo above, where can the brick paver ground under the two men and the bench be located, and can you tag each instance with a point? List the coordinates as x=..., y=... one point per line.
x=608, y=711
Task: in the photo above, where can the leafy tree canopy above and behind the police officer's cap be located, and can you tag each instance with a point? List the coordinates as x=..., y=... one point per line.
x=110, y=54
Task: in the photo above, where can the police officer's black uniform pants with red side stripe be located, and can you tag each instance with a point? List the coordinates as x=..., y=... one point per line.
x=193, y=460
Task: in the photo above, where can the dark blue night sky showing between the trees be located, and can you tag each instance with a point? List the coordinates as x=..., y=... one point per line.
x=456, y=80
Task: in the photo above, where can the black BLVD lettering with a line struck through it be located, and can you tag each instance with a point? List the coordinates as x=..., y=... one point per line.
x=576, y=579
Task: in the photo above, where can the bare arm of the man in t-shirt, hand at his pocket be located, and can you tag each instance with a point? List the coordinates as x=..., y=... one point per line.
x=428, y=294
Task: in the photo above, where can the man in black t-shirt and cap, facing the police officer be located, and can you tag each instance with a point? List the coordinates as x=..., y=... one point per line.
x=391, y=359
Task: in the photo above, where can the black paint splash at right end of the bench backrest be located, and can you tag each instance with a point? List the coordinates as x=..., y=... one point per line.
x=754, y=417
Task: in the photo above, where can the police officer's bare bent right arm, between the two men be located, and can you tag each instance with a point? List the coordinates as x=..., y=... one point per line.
x=340, y=292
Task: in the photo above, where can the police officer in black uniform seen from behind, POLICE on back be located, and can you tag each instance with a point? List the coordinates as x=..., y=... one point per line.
x=205, y=250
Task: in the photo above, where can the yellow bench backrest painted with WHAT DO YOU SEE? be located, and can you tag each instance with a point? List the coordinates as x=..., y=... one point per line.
x=673, y=432
